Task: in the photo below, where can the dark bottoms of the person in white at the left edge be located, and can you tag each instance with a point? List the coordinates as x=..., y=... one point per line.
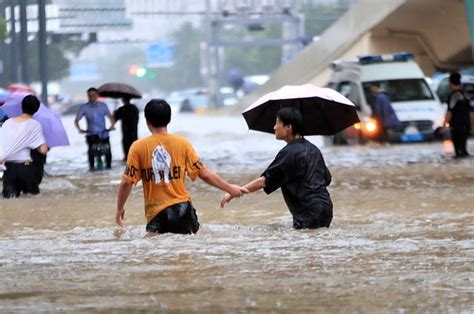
x=19, y=177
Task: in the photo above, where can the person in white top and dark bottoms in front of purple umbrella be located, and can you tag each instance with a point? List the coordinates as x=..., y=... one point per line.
x=18, y=136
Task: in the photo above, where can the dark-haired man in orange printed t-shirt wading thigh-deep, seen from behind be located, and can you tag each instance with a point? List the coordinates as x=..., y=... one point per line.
x=161, y=161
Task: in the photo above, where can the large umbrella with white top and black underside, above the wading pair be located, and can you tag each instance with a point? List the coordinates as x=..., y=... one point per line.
x=324, y=110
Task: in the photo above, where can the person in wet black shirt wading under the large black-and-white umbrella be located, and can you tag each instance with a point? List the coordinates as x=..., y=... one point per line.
x=301, y=173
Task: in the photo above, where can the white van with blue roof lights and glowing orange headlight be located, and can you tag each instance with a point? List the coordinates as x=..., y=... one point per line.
x=416, y=106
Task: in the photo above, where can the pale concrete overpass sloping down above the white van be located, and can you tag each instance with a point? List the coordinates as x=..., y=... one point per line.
x=436, y=31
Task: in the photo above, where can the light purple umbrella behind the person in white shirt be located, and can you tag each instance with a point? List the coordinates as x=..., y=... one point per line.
x=53, y=128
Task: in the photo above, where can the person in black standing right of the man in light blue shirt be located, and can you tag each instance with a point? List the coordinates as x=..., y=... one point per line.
x=128, y=113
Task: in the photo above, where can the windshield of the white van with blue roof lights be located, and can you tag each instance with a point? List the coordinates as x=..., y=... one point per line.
x=402, y=90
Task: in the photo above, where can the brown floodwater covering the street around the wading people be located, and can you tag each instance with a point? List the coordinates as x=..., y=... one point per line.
x=402, y=237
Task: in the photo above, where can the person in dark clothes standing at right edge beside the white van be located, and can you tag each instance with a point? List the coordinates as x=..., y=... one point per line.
x=458, y=116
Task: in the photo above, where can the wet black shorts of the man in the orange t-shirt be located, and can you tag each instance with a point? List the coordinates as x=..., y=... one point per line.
x=178, y=218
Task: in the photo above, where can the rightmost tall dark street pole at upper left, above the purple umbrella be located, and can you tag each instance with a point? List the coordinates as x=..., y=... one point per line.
x=43, y=52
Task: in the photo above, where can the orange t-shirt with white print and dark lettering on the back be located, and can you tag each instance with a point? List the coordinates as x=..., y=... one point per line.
x=161, y=162
